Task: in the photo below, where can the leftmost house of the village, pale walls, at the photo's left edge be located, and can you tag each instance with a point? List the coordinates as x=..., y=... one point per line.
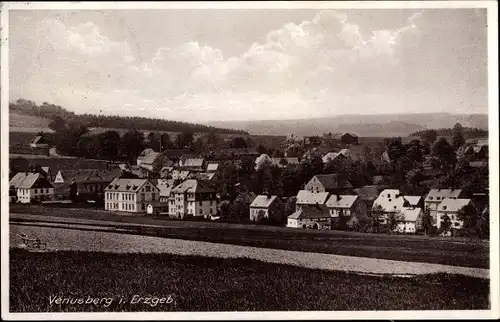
x=31, y=187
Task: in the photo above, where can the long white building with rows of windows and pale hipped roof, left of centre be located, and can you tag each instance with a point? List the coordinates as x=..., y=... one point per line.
x=130, y=195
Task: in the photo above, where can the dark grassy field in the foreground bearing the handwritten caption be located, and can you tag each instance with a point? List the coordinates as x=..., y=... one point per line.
x=196, y=283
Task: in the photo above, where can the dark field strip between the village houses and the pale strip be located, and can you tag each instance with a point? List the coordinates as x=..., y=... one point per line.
x=403, y=248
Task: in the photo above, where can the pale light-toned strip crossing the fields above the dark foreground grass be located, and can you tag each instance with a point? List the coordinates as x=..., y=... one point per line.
x=67, y=239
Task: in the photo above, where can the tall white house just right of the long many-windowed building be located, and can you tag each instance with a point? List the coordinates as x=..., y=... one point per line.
x=192, y=198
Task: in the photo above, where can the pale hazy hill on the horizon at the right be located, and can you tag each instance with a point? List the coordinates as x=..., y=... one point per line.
x=363, y=125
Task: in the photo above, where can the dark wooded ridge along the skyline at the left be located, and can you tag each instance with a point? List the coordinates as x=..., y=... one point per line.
x=51, y=111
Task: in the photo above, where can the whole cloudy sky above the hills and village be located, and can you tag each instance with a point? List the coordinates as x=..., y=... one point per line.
x=234, y=64
